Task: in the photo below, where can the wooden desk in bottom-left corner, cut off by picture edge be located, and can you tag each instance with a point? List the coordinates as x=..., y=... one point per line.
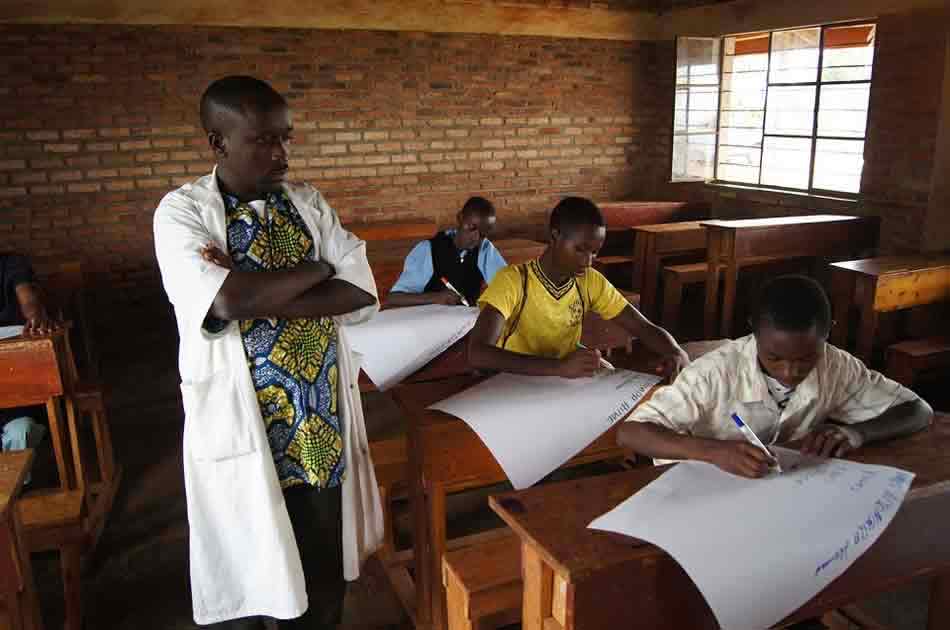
x=16, y=572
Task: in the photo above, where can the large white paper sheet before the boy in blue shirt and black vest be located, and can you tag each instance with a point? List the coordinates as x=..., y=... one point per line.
x=399, y=341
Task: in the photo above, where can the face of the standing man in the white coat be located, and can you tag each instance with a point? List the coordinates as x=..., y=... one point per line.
x=253, y=153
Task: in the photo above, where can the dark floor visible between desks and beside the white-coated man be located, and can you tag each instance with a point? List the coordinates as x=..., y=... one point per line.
x=138, y=580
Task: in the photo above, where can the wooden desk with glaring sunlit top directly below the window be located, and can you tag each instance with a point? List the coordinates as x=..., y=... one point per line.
x=730, y=242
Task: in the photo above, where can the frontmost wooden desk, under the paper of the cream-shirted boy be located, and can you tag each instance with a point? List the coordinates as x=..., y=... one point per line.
x=576, y=578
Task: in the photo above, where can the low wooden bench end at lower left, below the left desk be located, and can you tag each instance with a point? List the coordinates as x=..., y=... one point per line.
x=53, y=520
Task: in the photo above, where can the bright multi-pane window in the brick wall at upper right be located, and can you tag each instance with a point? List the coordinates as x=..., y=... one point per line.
x=792, y=110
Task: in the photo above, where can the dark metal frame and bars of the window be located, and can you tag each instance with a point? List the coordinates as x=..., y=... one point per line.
x=819, y=84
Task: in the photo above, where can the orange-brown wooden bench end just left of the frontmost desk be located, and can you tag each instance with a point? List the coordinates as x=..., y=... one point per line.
x=483, y=584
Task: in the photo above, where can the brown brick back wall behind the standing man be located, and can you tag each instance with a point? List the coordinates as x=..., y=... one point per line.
x=100, y=122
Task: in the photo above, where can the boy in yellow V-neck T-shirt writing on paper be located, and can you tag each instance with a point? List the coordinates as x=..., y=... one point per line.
x=531, y=314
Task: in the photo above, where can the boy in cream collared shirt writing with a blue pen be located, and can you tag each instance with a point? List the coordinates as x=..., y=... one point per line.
x=785, y=382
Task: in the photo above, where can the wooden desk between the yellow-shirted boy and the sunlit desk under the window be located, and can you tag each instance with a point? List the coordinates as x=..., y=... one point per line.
x=653, y=244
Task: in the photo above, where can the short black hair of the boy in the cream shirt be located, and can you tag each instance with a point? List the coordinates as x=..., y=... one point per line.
x=793, y=303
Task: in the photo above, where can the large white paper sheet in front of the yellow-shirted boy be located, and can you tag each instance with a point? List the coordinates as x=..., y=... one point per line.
x=533, y=424
